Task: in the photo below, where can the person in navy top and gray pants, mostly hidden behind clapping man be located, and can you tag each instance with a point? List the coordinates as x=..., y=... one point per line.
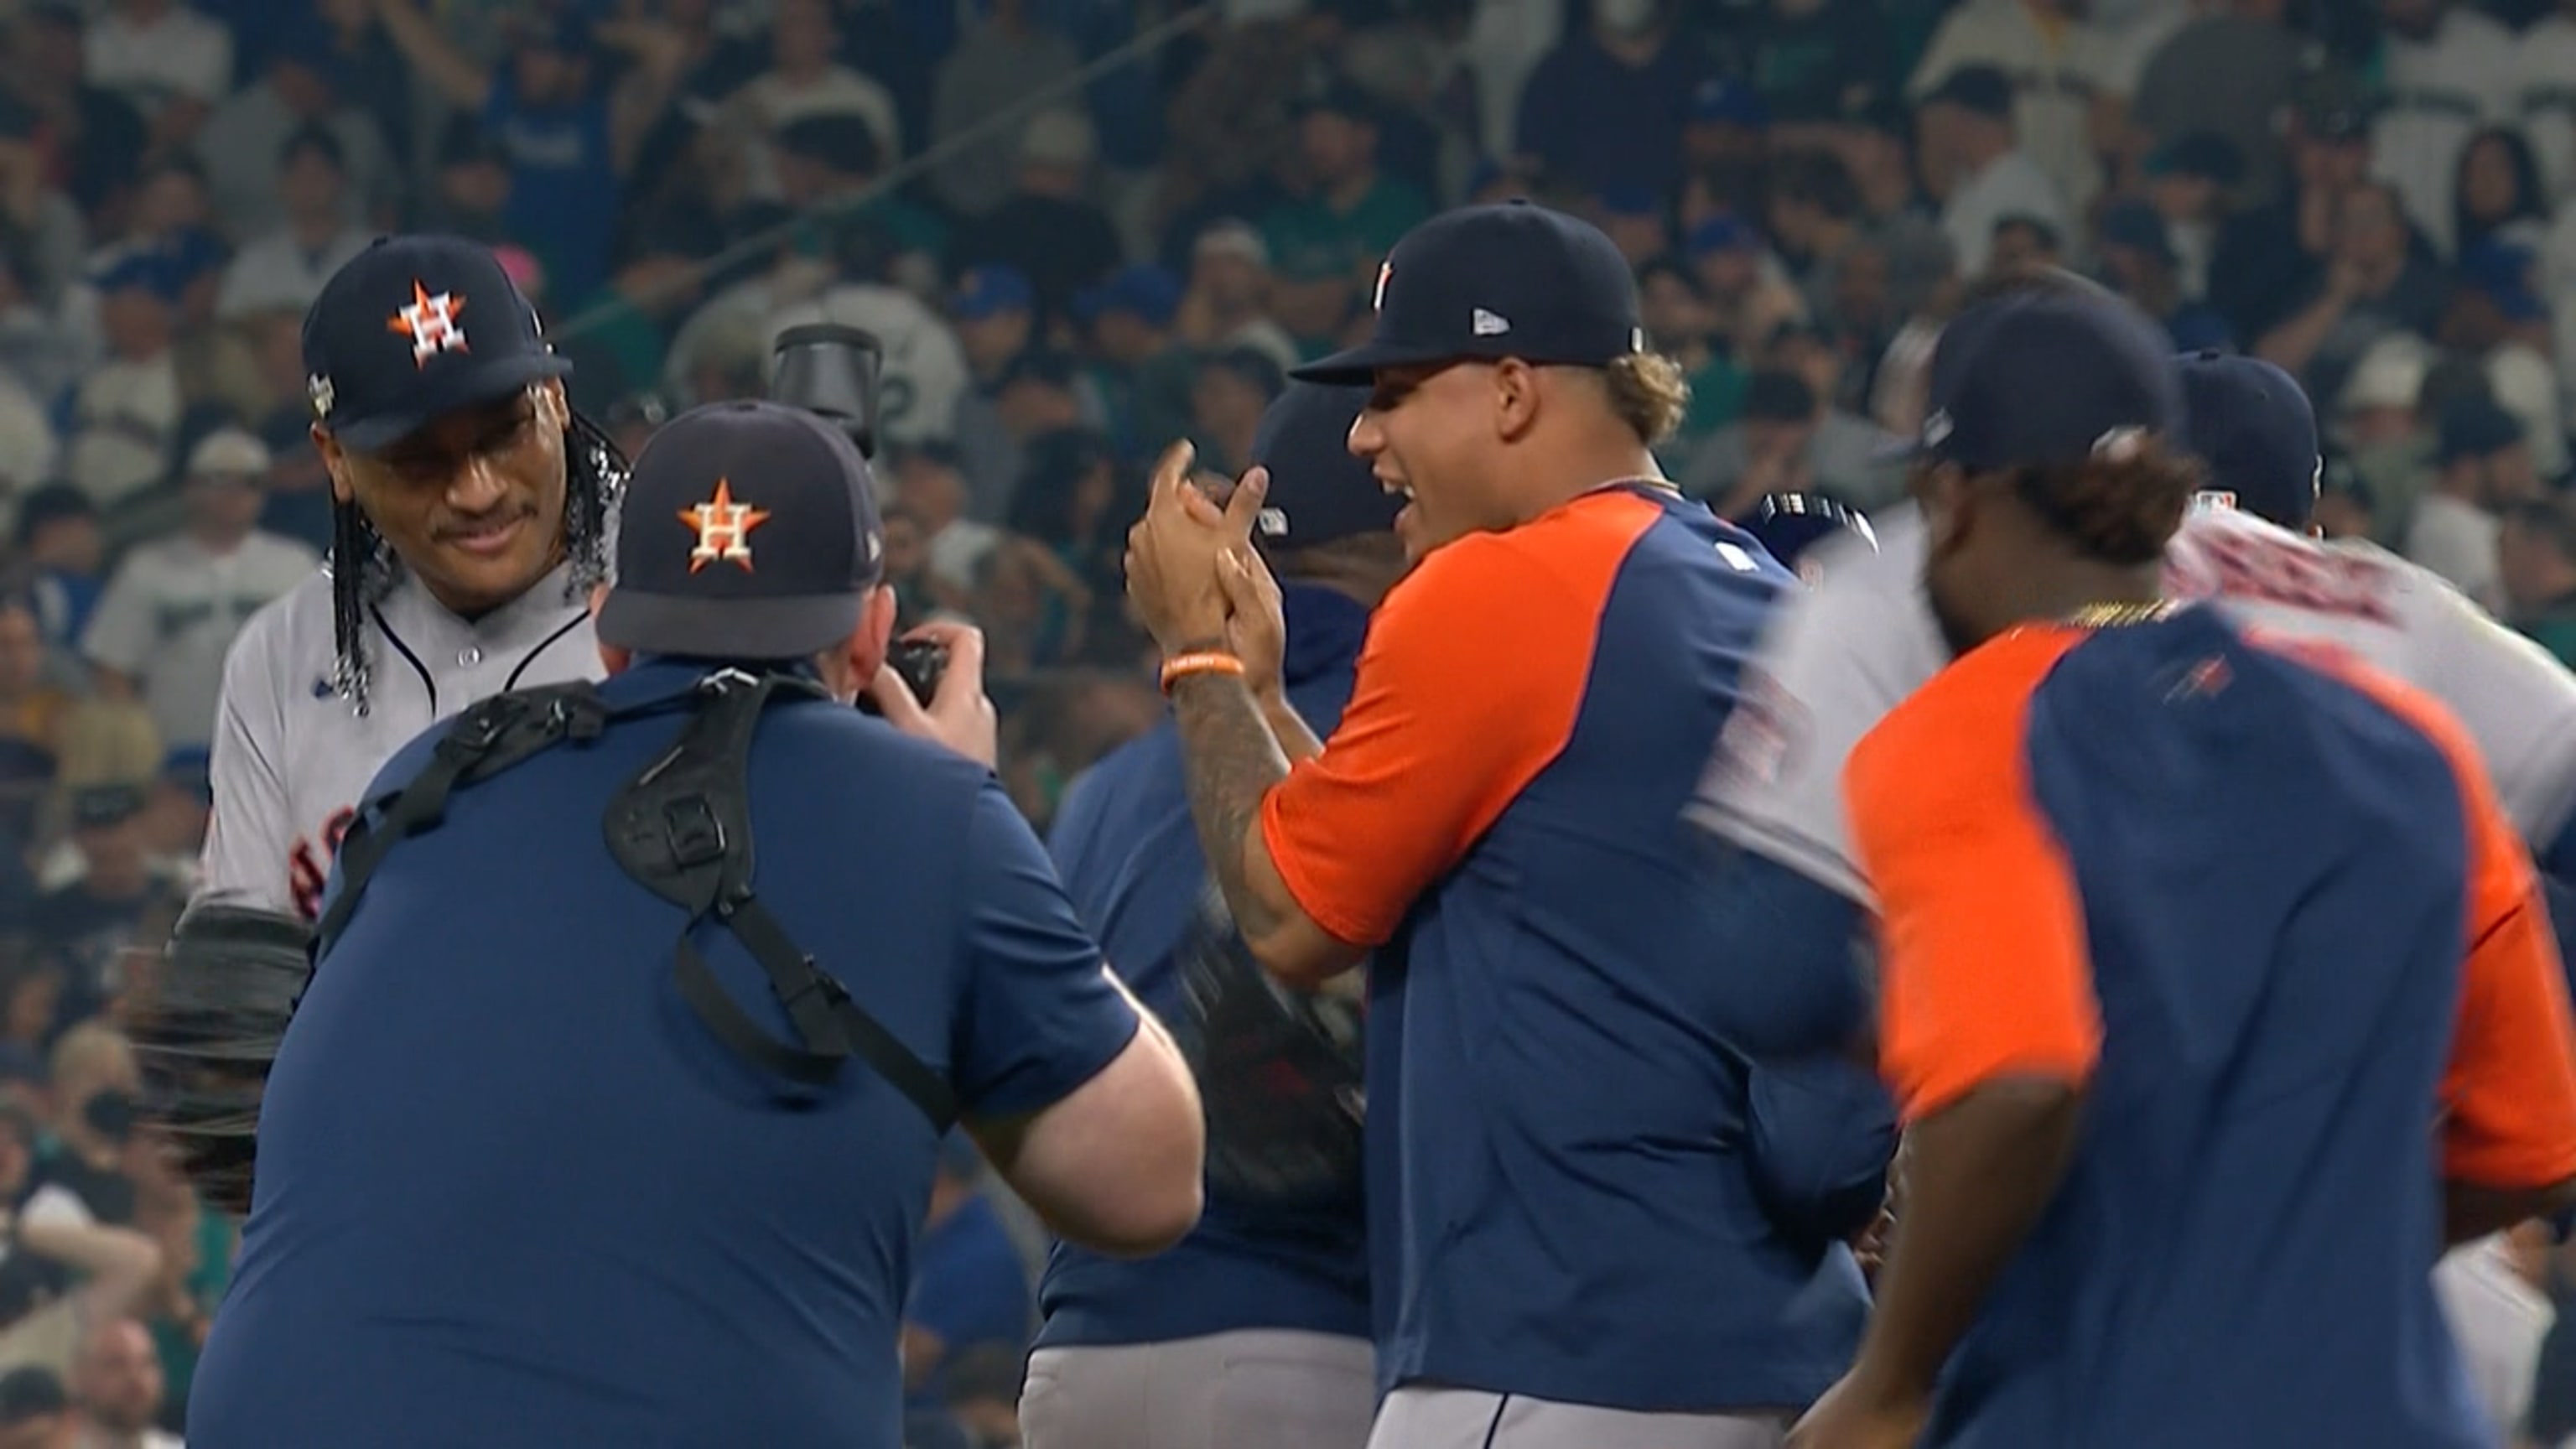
x=1266, y=1296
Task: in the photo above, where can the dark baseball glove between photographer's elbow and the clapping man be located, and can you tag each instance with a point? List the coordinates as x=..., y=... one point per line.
x=1279, y=1071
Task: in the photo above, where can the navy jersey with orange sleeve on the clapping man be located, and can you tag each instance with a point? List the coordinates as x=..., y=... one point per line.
x=1557, y=1182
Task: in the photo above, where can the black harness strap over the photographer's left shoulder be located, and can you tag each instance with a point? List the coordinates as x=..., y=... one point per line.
x=488, y=739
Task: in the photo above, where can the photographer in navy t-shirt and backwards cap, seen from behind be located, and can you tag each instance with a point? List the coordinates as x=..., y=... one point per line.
x=568, y=1141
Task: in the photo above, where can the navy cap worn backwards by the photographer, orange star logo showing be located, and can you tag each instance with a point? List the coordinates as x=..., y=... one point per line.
x=748, y=532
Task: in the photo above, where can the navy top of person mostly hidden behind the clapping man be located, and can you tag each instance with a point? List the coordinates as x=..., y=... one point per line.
x=1135, y=870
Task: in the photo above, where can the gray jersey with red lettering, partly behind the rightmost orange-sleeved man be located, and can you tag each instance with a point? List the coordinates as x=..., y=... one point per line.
x=1843, y=654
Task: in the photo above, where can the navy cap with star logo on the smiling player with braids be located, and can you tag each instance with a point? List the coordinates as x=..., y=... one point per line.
x=416, y=329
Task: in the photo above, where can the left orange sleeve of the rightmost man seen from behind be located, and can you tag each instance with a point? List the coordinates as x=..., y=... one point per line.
x=1985, y=966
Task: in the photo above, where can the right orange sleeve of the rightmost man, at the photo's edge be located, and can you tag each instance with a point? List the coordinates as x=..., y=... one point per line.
x=2510, y=1094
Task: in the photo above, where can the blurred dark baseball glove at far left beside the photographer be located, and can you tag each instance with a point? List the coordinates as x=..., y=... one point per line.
x=213, y=1027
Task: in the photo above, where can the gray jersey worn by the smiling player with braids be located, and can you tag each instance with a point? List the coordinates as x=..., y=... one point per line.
x=292, y=757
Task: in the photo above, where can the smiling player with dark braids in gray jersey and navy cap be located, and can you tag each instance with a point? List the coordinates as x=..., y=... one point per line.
x=468, y=509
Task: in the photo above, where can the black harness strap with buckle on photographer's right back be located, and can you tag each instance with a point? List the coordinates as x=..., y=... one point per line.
x=684, y=829
